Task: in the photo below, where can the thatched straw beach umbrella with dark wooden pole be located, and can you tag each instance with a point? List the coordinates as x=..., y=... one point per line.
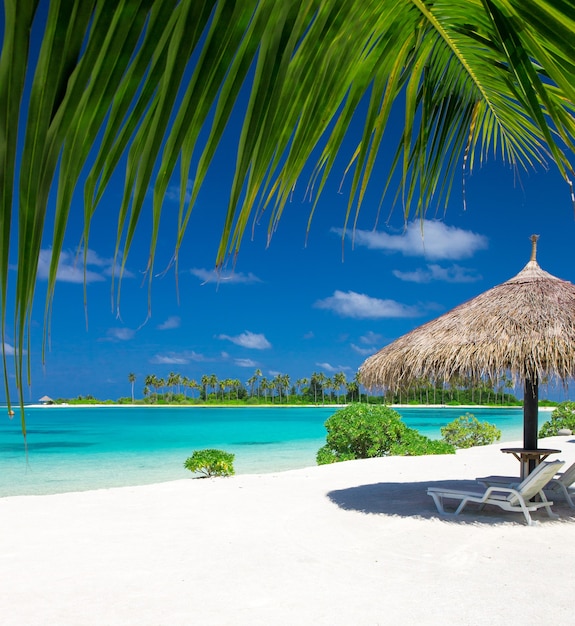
x=524, y=327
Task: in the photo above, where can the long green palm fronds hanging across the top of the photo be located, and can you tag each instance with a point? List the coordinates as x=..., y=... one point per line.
x=140, y=84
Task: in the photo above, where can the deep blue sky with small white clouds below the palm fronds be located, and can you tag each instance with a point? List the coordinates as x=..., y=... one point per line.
x=307, y=302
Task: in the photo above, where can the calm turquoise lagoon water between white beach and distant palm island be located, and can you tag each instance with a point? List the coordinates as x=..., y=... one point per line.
x=81, y=448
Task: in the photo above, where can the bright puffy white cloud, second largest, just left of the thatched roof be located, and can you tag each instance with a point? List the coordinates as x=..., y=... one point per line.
x=360, y=306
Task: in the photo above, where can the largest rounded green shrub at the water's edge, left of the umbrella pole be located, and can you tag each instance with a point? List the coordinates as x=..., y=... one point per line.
x=362, y=431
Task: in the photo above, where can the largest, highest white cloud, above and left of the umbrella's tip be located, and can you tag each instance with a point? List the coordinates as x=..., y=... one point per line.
x=431, y=239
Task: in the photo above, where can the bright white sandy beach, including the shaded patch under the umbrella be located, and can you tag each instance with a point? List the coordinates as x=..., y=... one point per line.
x=352, y=544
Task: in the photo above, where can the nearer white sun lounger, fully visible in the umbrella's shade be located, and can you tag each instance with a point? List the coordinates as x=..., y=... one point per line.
x=517, y=499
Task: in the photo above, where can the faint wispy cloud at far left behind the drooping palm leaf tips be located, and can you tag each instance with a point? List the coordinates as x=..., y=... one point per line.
x=71, y=267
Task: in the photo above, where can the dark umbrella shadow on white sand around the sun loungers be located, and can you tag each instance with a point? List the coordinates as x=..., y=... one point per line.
x=411, y=500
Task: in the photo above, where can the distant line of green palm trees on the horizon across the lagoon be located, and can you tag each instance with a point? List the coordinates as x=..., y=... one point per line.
x=317, y=389
